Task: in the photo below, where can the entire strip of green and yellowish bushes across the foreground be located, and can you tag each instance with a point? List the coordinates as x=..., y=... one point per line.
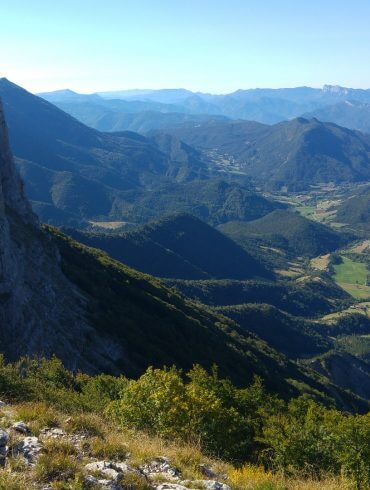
x=245, y=425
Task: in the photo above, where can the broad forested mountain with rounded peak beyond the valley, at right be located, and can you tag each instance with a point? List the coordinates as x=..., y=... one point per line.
x=294, y=154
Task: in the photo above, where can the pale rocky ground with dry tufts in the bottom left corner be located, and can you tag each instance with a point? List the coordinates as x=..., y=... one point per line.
x=43, y=460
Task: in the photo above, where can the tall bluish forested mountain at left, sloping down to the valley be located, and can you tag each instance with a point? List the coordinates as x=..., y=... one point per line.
x=73, y=173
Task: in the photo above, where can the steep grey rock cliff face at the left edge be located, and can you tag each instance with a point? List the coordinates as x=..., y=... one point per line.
x=41, y=312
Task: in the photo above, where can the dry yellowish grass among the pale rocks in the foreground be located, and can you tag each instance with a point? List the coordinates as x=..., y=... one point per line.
x=61, y=462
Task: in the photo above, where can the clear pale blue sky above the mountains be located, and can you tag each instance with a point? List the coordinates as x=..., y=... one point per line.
x=215, y=46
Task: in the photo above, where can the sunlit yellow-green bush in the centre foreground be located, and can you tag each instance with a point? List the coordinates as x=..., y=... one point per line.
x=202, y=408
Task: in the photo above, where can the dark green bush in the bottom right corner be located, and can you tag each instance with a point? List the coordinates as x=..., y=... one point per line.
x=308, y=437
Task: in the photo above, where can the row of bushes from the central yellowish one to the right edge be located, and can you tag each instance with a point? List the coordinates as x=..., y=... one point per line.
x=301, y=437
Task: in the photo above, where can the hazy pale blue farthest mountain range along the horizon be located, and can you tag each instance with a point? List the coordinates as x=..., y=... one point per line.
x=263, y=105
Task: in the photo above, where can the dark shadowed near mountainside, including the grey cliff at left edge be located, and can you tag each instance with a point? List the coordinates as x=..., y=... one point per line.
x=55, y=290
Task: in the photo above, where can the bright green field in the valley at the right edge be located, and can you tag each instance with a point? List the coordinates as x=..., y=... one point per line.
x=352, y=277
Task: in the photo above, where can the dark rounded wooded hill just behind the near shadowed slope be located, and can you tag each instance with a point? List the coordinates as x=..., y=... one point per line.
x=178, y=247
